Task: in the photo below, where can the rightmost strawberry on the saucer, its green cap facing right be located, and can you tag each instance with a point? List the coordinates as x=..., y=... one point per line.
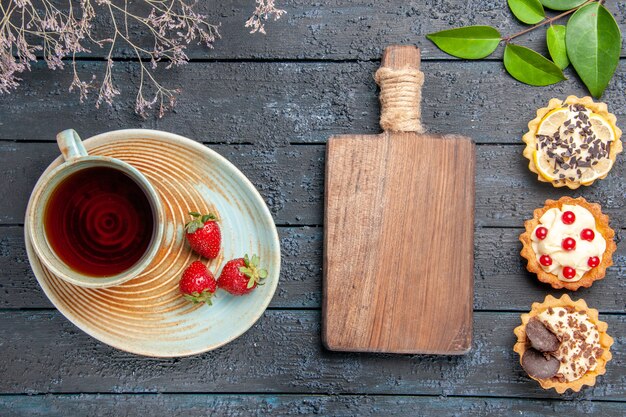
x=241, y=275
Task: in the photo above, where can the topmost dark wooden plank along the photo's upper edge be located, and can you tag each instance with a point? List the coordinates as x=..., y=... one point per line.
x=351, y=29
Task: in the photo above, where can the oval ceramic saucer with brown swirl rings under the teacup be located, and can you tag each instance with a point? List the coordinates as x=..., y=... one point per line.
x=147, y=315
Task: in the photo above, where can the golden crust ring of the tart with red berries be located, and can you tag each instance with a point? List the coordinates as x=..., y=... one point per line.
x=602, y=226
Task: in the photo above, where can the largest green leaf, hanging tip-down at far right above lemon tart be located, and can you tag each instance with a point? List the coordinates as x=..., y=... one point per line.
x=593, y=42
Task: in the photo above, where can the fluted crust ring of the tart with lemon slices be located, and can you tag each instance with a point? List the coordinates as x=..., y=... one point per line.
x=531, y=140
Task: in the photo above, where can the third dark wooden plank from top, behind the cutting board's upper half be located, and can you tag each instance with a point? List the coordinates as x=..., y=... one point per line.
x=291, y=180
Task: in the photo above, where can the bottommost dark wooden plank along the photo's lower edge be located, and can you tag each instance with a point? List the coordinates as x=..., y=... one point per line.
x=199, y=405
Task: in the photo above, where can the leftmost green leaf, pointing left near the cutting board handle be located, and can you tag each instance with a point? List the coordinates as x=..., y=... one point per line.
x=470, y=42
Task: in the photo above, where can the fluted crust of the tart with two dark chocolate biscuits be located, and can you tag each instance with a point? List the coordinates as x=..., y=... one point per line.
x=606, y=341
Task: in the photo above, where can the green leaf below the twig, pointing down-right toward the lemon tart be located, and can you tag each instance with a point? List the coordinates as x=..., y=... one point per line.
x=529, y=67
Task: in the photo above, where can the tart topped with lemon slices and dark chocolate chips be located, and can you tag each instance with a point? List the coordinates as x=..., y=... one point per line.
x=572, y=142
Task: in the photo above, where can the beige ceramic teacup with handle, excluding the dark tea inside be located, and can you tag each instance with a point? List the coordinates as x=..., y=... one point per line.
x=77, y=159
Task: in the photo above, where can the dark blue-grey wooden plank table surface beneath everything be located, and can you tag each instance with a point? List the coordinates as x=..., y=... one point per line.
x=268, y=104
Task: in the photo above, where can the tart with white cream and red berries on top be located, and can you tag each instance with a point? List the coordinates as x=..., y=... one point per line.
x=568, y=243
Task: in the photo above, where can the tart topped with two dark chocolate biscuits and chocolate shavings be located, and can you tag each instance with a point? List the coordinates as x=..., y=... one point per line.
x=562, y=344
